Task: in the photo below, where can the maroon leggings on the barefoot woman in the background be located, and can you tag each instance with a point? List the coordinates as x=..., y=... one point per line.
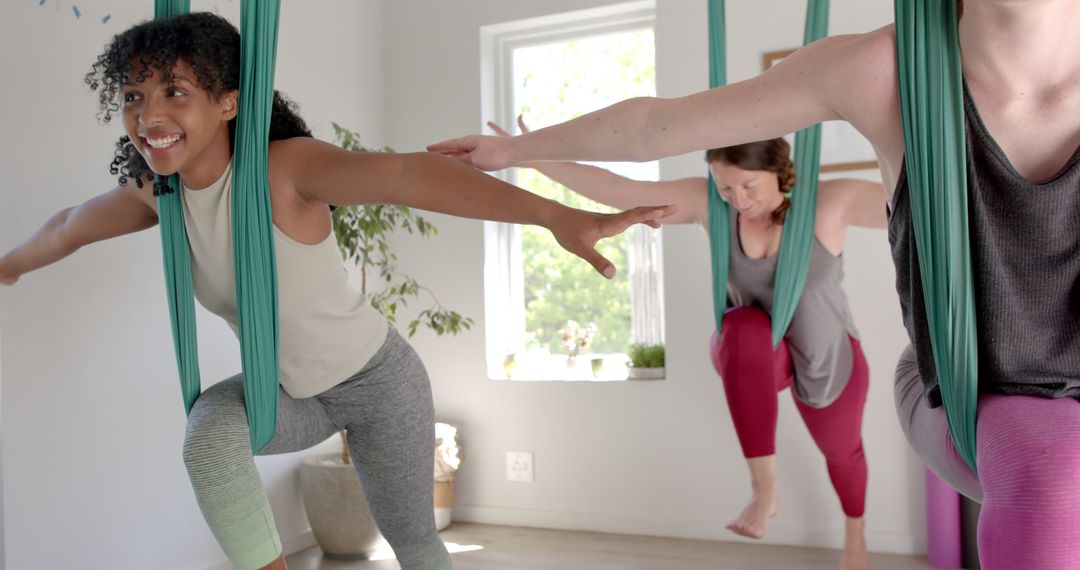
x=754, y=374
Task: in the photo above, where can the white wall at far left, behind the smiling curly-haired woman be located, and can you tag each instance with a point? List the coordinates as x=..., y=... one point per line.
x=92, y=416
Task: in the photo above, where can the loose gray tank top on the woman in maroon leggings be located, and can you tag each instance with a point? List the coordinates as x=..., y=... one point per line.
x=818, y=336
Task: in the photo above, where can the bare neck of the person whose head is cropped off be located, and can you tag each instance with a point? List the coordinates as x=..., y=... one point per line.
x=1021, y=44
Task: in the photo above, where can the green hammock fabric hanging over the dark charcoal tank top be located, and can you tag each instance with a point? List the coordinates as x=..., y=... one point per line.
x=931, y=91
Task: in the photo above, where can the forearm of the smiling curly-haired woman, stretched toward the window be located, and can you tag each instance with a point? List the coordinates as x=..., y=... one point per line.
x=438, y=184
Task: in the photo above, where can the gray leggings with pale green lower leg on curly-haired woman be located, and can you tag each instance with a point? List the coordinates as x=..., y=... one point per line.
x=388, y=412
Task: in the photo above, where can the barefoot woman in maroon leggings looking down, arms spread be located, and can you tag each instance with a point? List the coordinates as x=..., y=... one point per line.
x=820, y=358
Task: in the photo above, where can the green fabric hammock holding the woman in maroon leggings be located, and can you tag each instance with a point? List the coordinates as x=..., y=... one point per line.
x=798, y=238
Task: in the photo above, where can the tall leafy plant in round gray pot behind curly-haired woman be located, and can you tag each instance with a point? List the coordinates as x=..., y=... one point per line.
x=333, y=497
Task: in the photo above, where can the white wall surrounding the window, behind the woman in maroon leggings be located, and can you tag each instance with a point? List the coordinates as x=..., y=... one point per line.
x=652, y=458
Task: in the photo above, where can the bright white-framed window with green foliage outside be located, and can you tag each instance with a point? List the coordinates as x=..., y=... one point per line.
x=549, y=315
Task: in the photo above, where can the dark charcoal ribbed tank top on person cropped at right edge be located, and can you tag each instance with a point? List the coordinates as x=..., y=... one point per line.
x=1025, y=250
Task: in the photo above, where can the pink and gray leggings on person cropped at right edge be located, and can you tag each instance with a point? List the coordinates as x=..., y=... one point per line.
x=1029, y=459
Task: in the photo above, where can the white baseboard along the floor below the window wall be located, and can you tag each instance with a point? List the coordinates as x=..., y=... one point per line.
x=697, y=528
